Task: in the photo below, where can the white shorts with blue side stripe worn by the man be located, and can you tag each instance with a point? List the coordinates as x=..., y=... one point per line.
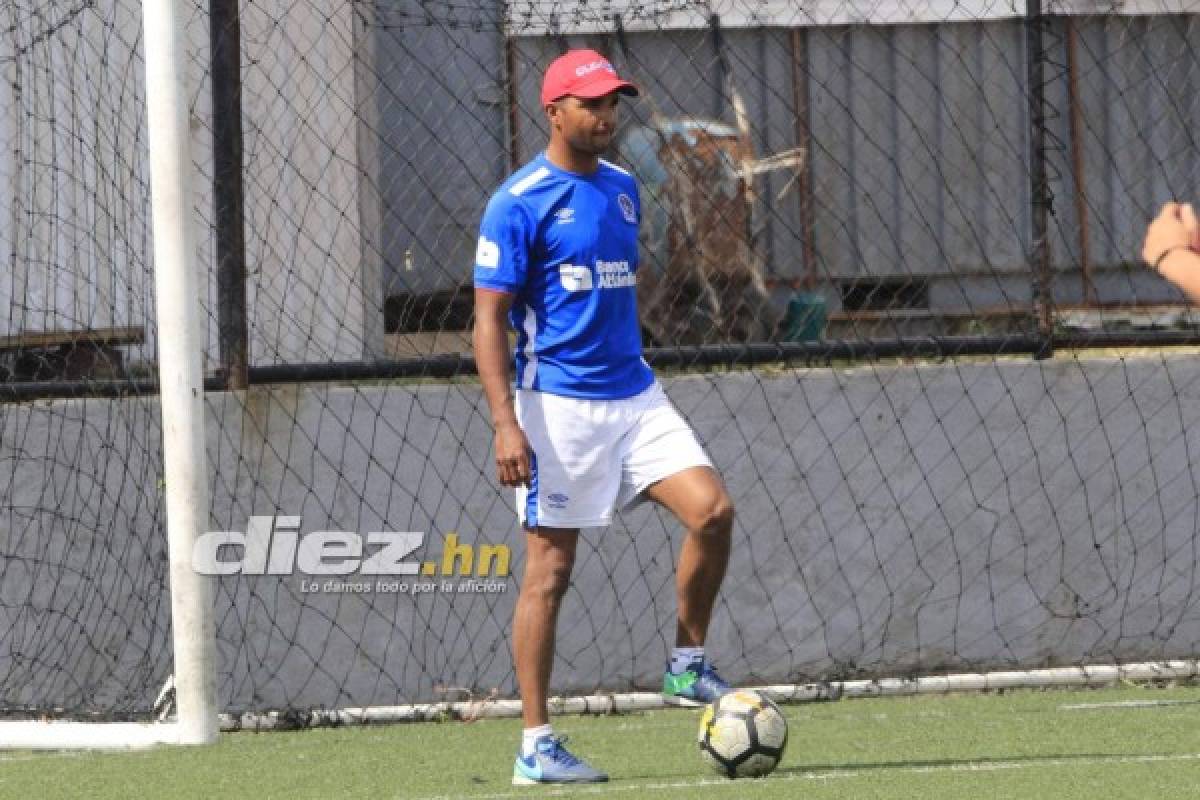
x=592, y=455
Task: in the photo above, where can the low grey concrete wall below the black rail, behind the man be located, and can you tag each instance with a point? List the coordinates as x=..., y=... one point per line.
x=891, y=521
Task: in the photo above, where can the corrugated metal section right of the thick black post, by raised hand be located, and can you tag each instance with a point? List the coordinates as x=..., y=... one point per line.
x=1139, y=92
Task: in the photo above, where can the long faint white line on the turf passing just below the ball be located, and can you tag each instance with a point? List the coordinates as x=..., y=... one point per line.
x=745, y=787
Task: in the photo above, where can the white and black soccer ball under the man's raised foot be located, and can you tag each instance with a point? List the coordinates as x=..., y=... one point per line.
x=743, y=735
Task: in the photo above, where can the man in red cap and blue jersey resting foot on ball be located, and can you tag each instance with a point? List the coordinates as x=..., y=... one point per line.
x=587, y=429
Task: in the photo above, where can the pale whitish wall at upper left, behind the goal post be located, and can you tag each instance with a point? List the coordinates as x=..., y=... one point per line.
x=75, y=199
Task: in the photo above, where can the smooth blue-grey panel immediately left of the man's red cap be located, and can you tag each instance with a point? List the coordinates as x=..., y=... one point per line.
x=442, y=109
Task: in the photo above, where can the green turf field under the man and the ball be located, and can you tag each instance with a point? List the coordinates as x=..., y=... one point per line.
x=1114, y=743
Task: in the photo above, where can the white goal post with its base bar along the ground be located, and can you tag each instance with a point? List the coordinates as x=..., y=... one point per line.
x=182, y=400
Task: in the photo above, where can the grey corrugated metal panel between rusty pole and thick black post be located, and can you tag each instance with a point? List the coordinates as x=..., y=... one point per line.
x=920, y=143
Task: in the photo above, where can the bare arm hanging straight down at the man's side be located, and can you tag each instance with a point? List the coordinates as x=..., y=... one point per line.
x=493, y=354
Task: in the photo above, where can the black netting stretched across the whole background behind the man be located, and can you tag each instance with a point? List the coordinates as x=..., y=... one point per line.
x=889, y=272
